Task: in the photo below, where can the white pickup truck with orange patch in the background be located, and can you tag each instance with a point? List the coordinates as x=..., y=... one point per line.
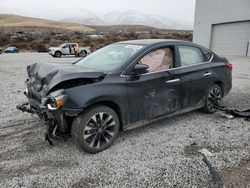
x=69, y=49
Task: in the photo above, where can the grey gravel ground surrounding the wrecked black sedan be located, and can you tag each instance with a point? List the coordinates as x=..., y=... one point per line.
x=163, y=154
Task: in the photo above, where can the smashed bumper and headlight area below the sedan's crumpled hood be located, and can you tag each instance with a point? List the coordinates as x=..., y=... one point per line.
x=51, y=110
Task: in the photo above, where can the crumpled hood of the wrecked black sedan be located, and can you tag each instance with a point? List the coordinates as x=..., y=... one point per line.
x=52, y=74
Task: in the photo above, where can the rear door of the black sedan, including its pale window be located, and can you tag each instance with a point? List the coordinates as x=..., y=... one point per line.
x=196, y=75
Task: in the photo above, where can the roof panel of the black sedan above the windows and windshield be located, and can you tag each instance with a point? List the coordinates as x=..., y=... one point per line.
x=151, y=41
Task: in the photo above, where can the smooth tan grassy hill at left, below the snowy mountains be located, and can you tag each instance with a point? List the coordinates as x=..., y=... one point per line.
x=11, y=22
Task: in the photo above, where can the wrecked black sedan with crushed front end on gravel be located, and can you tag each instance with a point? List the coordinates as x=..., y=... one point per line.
x=123, y=86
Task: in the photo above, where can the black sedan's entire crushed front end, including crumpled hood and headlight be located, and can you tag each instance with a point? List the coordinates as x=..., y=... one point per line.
x=47, y=95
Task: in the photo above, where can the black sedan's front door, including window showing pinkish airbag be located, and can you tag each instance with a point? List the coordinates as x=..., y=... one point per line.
x=156, y=92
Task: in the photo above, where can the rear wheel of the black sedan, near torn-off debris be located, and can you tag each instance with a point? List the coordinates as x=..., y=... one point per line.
x=214, y=93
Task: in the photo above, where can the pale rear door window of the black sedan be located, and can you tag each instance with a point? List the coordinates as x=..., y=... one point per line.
x=190, y=55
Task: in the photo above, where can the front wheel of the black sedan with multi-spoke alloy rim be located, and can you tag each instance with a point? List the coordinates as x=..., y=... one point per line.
x=91, y=133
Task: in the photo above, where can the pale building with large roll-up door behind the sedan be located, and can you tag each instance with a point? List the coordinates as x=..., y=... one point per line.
x=223, y=26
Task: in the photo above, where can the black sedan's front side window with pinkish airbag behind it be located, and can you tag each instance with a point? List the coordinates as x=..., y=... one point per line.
x=160, y=59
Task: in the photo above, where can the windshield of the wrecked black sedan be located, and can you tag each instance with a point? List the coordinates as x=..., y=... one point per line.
x=109, y=57
